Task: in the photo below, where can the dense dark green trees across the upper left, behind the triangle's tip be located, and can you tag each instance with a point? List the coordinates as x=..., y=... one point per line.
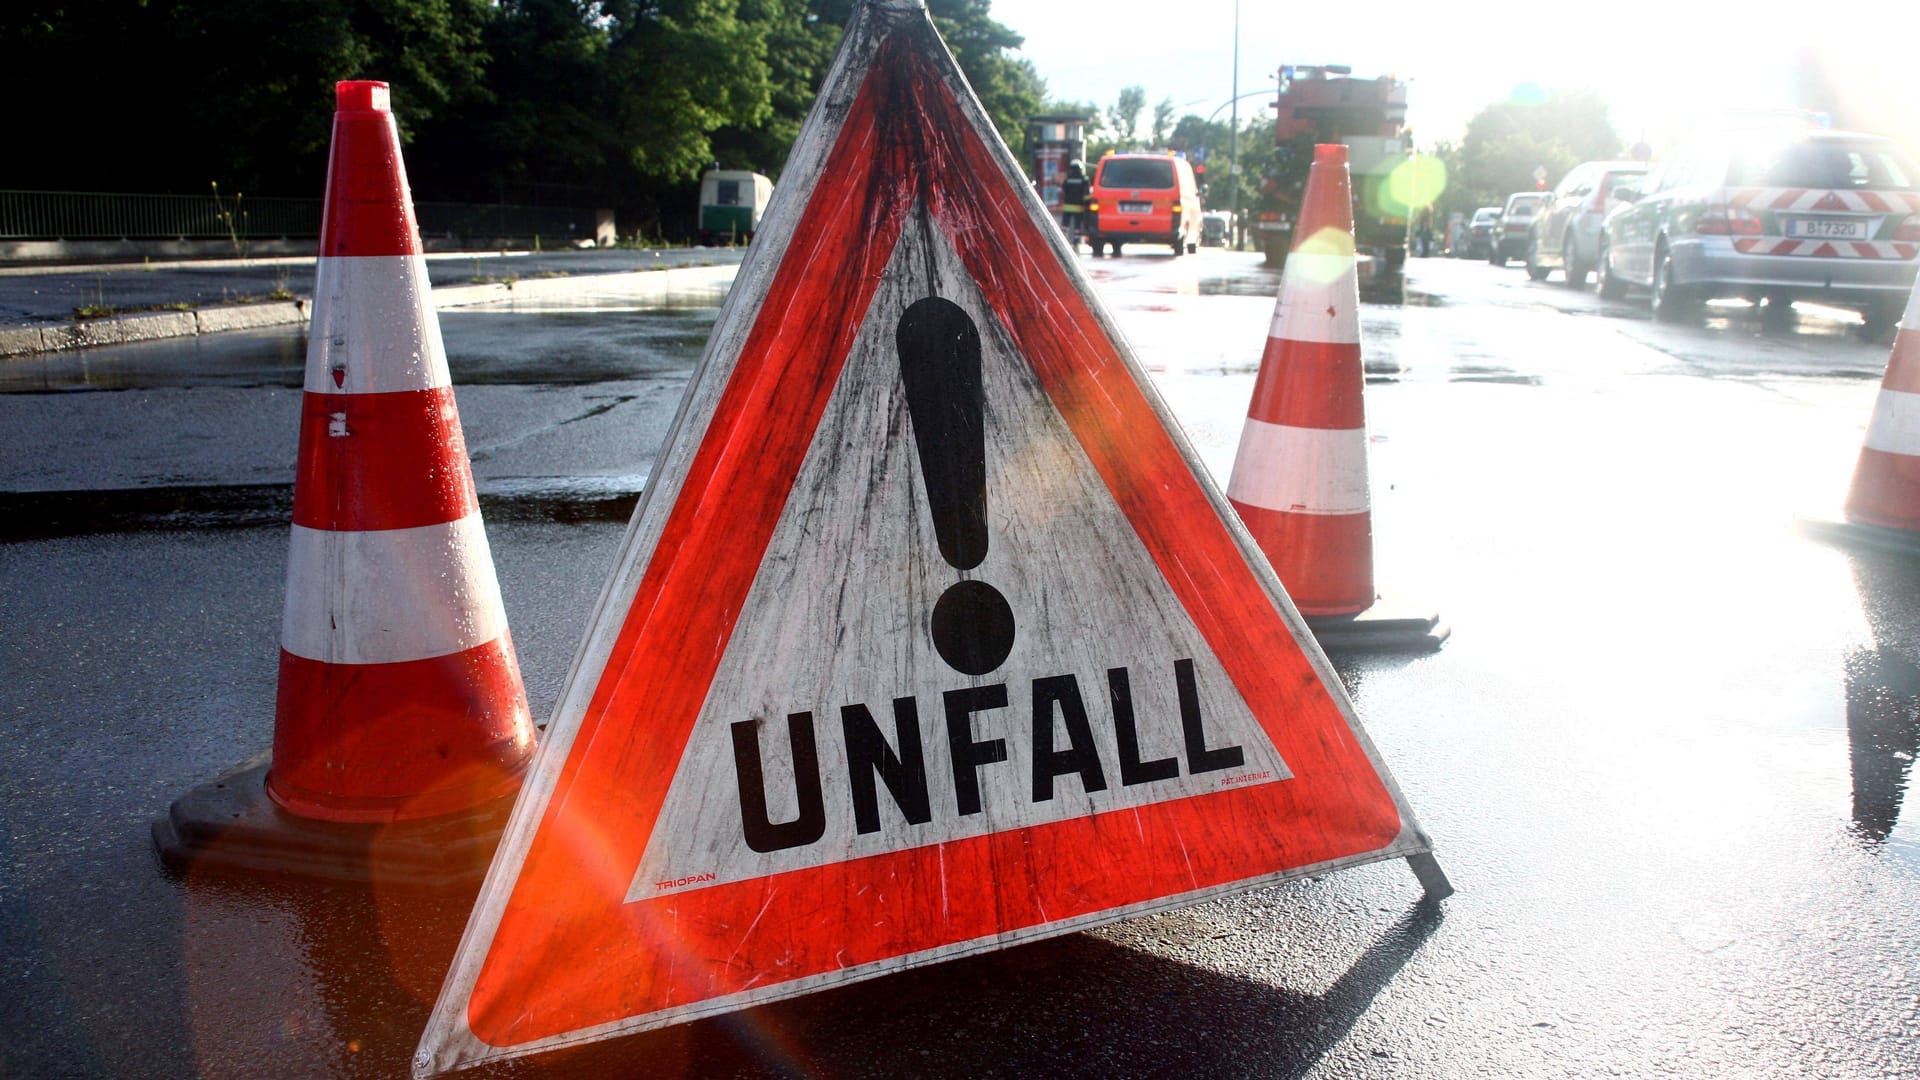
x=615, y=103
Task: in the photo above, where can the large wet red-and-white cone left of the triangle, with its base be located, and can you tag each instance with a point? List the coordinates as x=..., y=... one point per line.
x=400, y=695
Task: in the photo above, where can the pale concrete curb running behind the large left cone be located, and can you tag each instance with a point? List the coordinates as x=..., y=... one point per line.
x=652, y=285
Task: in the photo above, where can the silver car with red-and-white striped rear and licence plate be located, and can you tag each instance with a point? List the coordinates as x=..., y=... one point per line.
x=1827, y=216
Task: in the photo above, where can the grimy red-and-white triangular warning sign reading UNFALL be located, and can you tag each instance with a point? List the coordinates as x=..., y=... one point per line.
x=930, y=635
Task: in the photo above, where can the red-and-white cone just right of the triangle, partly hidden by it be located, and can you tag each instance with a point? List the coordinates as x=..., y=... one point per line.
x=1301, y=476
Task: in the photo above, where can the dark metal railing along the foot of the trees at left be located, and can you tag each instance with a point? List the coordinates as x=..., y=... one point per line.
x=105, y=216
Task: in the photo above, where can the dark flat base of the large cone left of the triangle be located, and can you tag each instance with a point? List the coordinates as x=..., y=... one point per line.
x=231, y=827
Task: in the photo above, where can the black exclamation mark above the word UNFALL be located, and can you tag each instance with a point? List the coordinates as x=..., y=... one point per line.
x=940, y=364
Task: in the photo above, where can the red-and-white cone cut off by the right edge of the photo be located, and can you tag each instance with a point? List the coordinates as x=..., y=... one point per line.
x=1886, y=481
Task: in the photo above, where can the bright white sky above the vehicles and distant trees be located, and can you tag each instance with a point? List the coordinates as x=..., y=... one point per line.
x=1662, y=72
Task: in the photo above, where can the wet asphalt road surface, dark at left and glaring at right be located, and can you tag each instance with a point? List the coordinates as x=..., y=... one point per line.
x=1664, y=756
